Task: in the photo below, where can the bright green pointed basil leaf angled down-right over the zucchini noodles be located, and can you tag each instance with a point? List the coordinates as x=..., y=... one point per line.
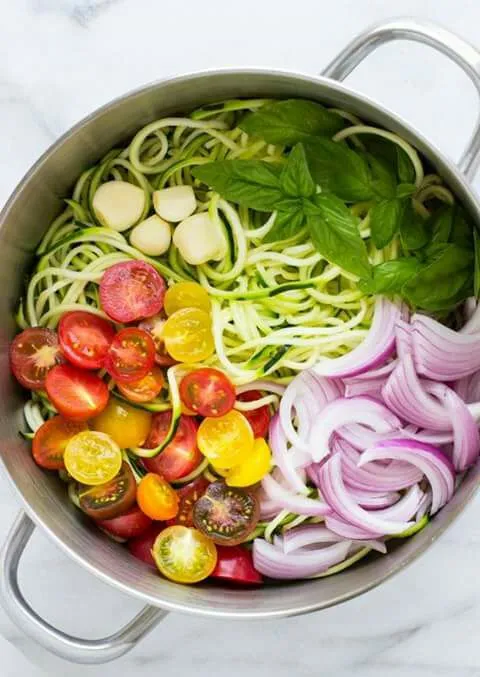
x=335, y=234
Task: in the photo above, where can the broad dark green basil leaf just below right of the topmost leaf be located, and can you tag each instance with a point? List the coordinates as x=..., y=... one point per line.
x=340, y=170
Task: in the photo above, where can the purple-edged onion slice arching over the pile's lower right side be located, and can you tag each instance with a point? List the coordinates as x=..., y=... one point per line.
x=433, y=463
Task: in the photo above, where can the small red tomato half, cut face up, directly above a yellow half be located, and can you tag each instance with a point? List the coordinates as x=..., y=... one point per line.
x=208, y=392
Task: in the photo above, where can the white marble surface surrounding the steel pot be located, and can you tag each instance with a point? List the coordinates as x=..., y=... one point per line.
x=60, y=59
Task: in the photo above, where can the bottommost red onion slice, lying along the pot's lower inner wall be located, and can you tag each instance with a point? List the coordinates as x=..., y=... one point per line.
x=271, y=561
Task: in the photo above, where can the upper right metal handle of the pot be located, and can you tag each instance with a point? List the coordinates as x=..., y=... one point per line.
x=457, y=49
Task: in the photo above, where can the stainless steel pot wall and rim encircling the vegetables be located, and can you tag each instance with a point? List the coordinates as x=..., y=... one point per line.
x=22, y=224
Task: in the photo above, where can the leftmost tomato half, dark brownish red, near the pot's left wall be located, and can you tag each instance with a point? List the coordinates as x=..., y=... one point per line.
x=32, y=354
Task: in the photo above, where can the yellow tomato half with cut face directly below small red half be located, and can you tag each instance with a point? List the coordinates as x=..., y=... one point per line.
x=226, y=440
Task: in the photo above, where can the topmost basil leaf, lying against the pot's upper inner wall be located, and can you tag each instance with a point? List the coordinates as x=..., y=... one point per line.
x=288, y=122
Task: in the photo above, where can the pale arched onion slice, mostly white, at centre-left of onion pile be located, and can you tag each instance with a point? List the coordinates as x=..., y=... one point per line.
x=344, y=411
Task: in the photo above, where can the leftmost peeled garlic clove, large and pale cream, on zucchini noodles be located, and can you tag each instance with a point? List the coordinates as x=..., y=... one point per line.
x=118, y=204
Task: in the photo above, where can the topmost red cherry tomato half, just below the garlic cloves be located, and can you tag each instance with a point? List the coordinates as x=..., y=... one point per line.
x=131, y=291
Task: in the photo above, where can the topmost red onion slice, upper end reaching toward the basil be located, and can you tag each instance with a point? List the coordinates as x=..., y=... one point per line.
x=377, y=347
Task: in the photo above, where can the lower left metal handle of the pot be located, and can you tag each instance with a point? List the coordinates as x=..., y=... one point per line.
x=70, y=648
